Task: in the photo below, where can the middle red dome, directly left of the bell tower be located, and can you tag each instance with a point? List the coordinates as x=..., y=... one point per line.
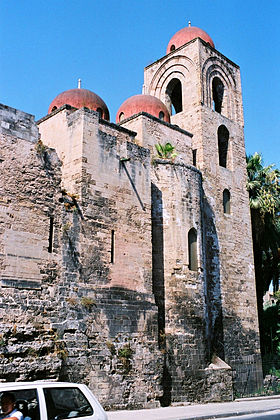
x=143, y=103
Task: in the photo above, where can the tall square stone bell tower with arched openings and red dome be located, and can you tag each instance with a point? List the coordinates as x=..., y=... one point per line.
x=201, y=88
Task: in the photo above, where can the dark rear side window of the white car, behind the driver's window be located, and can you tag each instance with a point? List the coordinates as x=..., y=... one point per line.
x=63, y=403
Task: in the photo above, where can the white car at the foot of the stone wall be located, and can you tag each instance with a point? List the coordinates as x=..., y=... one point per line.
x=45, y=400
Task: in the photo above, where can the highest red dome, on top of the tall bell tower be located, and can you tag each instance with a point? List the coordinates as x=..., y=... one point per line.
x=185, y=35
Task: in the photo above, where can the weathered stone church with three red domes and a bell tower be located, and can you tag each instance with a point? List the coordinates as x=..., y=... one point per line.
x=123, y=269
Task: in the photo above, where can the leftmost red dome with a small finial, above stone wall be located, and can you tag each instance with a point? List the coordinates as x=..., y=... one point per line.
x=80, y=98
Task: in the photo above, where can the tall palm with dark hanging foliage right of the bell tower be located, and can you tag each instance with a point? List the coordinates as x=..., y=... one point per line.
x=263, y=184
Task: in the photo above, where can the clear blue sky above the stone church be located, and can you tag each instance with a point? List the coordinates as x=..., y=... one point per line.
x=47, y=45
